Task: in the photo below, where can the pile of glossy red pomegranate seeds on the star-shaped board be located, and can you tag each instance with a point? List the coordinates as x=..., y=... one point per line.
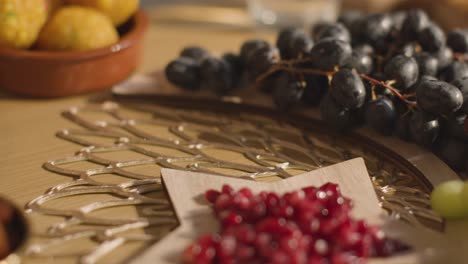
x=311, y=225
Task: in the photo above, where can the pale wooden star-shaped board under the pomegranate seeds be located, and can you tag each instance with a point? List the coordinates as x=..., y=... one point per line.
x=186, y=191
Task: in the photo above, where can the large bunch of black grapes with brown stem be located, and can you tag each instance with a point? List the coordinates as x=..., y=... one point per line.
x=398, y=73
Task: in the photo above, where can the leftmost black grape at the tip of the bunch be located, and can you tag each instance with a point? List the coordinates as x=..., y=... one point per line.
x=184, y=72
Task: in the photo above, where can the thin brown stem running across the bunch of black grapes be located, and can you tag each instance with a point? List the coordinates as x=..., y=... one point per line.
x=287, y=66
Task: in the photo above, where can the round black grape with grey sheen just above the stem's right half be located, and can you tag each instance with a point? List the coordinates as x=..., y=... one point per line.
x=403, y=70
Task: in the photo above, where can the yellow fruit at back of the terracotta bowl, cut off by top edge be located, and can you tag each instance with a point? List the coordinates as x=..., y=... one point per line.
x=119, y=11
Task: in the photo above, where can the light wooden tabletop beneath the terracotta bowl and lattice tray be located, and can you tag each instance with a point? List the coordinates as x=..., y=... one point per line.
x=27, y=138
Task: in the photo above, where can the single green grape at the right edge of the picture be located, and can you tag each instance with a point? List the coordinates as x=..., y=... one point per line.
x=447, y=199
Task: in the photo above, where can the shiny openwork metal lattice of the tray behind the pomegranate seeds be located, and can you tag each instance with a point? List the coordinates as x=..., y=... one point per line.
x=134, y=141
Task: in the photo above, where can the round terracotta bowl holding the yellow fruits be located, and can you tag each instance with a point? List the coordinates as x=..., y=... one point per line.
x=36, y=73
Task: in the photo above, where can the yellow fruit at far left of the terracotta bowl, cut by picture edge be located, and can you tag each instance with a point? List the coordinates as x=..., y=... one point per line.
x=21, y=21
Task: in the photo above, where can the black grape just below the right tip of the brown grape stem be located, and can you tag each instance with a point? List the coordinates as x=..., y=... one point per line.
x=424, y=128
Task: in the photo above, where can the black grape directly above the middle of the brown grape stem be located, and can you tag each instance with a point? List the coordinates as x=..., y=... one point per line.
x=329, y=52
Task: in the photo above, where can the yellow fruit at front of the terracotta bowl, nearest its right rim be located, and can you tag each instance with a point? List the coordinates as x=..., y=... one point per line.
x=77, y=28
